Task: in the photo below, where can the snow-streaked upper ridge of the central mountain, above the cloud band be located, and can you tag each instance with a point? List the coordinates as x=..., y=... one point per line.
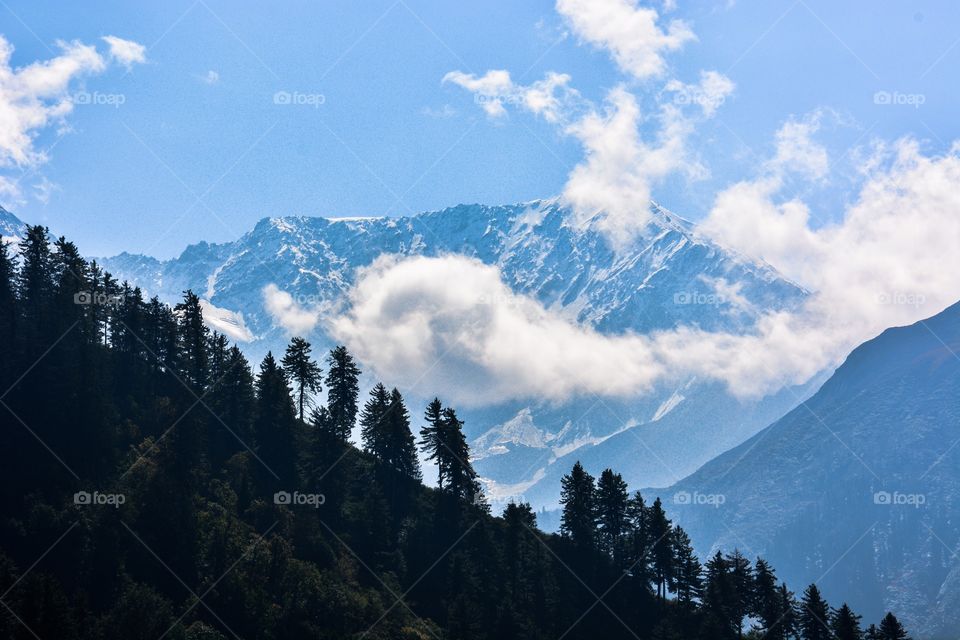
x=668, y=275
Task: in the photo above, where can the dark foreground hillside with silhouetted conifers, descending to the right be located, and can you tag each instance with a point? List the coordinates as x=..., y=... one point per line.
x=154, y=485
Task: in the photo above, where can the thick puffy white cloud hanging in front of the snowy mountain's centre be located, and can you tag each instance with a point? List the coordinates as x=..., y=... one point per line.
x=451, y=323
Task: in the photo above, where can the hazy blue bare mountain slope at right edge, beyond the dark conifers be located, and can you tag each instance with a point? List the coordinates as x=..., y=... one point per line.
x=859, y=487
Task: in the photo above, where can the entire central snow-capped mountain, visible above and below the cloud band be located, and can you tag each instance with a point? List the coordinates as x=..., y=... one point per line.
x=668, y=275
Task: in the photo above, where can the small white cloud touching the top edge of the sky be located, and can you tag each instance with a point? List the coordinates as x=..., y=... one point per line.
x=629, y=32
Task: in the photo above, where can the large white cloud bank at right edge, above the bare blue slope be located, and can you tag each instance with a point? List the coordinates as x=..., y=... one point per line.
x=890, y=261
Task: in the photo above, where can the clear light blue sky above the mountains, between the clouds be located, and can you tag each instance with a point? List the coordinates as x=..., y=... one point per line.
x=198, y=149
